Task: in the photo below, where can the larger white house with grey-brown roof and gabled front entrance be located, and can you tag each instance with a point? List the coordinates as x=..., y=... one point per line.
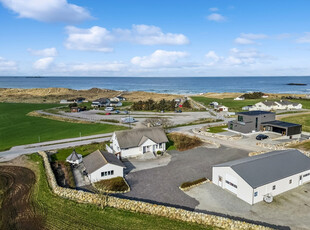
x=134, y=142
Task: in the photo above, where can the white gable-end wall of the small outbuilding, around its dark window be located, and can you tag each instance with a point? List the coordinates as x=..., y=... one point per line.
x=96, y=176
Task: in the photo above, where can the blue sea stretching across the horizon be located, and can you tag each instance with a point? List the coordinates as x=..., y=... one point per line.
x=170, y=85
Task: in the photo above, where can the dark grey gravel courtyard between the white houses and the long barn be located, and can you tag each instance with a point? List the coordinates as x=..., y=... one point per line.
x=161, y=184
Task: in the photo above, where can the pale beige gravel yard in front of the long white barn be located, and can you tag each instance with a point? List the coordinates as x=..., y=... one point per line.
x=290, y=209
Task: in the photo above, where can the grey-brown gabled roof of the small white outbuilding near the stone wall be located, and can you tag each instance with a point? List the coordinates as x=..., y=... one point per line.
x=98, y=159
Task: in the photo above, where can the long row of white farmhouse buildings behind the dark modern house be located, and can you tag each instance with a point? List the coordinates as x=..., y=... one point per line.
x=275, y=105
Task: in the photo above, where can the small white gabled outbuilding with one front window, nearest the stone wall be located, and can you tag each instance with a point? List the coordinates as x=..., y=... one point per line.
x=101, y=165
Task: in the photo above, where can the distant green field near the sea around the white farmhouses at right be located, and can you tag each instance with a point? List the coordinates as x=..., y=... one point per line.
x=236, y=106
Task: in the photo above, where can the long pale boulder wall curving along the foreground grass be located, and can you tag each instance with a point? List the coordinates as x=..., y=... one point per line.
x=143, y=207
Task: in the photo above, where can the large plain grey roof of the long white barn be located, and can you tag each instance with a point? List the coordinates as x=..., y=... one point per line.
x=269, y=167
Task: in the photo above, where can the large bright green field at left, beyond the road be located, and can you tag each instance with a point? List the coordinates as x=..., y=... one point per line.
x=16, y=128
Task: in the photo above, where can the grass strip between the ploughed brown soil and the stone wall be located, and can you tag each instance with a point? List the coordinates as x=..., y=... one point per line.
x=62, y=213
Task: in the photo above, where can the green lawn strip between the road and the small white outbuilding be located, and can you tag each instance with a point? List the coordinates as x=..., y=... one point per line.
x=84, y=150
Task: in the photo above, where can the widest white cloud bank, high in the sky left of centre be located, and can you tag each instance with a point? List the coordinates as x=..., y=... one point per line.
x=100, y=39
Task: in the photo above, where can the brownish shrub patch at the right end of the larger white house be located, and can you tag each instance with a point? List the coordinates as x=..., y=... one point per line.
x=184, y=142
